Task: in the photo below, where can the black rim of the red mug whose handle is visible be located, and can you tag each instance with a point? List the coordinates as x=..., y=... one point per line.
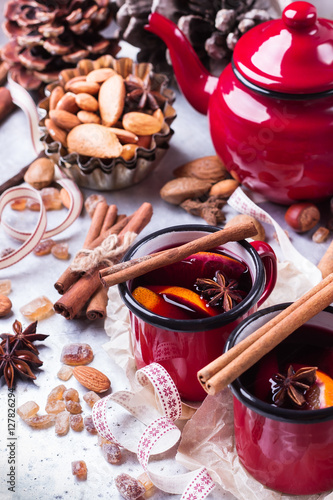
x=197, y=325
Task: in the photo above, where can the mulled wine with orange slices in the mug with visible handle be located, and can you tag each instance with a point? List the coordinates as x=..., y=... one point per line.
x=203, y=285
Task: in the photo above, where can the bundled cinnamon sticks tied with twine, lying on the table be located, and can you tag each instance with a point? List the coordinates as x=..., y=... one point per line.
x=79, y=295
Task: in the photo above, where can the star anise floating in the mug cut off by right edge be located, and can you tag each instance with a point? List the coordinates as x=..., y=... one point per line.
x=292, y=387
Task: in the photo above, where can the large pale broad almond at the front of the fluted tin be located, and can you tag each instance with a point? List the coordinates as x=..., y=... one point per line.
x=90, y=139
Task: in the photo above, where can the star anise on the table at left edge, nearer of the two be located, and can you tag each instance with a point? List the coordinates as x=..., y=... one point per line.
x=14, y=361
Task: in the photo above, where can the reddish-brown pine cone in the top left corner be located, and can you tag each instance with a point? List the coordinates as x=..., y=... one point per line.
x=48, y=36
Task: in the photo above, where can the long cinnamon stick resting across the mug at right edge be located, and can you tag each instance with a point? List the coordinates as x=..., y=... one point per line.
x=219, y=374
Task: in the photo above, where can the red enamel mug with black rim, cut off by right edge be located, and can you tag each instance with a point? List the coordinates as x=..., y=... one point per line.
x=286, y=449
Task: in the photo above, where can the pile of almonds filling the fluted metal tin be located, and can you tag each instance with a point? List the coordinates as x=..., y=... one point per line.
x=89, y=115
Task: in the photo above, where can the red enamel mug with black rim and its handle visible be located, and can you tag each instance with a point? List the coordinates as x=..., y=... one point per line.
x=183, y=347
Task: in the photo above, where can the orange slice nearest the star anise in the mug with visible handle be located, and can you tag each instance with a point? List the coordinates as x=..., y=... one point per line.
x=185, y=297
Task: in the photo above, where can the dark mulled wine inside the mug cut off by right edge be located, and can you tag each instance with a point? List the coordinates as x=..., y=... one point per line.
x=297, y=374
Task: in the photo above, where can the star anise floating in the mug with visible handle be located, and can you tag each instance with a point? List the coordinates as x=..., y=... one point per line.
x=220, y=291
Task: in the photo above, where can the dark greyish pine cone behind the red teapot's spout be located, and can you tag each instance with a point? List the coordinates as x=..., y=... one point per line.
x=213, y=27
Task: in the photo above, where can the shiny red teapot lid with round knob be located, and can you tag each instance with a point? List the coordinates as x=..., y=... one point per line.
x=291, y=55
